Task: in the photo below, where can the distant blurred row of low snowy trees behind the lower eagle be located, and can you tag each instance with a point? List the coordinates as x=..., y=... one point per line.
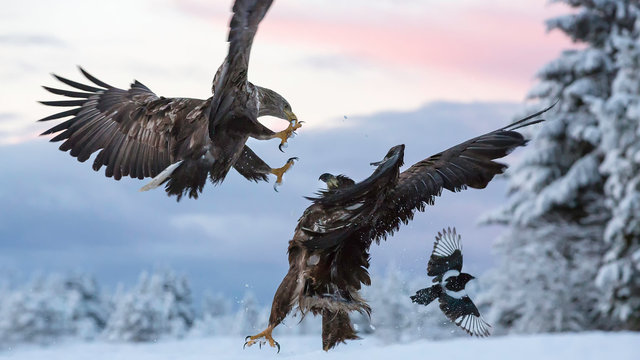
x=54, y=308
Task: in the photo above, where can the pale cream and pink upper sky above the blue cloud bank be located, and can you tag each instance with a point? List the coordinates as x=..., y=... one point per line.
x=329, y=58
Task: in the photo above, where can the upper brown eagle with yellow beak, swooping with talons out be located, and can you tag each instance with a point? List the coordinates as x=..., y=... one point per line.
x=179, y=141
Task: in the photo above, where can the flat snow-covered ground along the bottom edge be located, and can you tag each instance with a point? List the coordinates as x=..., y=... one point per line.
x=583, y=346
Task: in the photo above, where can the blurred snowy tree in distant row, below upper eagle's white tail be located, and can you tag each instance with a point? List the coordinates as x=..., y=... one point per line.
x=159, y=306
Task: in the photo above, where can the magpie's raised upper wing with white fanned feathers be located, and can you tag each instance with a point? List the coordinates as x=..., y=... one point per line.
x=446, y=254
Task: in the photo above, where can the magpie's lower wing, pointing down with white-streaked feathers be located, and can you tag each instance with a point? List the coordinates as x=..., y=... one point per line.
x=465, y=314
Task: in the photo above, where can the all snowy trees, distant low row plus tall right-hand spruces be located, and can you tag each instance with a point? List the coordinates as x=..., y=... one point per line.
x=569, y=253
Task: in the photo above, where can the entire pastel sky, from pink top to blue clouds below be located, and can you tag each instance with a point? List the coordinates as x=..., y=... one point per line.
x=359, y=72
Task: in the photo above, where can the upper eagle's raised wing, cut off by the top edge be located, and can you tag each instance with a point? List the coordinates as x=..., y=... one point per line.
x=232, y=74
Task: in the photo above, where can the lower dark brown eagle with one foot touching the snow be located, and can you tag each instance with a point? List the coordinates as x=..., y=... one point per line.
x=329, y=253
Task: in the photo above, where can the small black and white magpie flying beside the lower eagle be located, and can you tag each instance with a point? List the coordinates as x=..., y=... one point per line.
x=445, y=265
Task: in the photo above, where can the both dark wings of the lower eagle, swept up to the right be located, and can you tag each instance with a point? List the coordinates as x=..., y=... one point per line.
x=378, y=205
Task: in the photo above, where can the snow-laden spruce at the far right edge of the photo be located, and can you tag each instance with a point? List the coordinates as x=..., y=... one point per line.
x=619, y=120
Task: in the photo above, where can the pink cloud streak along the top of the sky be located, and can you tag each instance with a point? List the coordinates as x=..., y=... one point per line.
x=477, y=39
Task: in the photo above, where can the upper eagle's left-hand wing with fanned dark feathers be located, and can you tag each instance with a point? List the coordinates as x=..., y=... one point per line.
x=138, y=133
